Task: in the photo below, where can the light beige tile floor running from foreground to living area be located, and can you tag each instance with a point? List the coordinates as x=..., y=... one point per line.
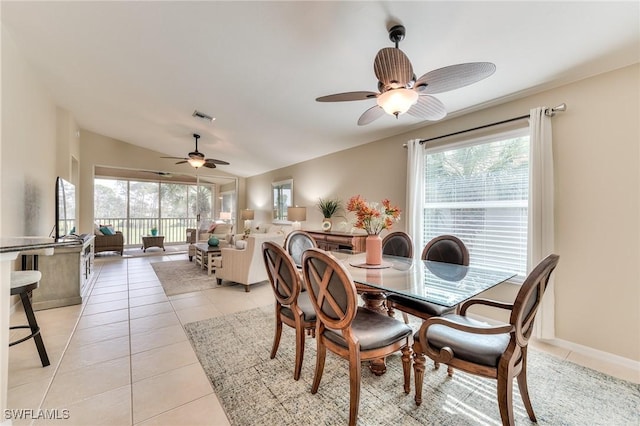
x=122, y=357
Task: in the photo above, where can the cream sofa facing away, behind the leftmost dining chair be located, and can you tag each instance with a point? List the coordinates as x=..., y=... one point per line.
x=244, y=264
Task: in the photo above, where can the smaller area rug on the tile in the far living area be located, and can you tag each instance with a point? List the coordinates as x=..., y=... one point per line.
x=182, y=276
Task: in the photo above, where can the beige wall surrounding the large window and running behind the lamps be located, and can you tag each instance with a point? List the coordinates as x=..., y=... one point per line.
x=597, y=171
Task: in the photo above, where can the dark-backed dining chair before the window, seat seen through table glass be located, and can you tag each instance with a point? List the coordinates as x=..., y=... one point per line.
x=444, y=248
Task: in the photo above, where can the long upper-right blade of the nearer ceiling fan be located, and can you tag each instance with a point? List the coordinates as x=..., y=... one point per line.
x=453, y=77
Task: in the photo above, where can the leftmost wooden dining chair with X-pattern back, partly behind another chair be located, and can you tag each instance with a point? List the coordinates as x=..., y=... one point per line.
x=293, y=306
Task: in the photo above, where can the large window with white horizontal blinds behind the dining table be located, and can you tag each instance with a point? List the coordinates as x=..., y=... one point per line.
x=478, y=190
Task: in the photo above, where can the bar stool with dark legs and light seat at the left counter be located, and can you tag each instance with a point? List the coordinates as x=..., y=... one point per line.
x=22, y=283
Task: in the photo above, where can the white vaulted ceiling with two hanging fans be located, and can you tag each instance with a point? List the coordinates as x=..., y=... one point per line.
x=136, y=71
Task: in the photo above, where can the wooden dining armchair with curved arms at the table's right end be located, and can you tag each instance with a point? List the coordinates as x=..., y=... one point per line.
x=494, y=351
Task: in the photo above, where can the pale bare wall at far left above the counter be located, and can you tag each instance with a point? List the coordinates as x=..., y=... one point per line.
x=28, y=148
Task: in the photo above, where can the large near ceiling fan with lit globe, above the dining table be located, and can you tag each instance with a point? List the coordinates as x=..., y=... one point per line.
x=400, y=92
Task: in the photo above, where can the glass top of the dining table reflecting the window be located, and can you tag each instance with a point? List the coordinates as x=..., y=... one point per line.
x=444, y=284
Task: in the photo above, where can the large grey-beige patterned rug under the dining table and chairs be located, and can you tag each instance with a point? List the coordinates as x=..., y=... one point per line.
x=234, y=352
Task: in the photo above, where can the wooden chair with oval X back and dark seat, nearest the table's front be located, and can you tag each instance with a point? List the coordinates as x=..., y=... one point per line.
x=351, y=332
